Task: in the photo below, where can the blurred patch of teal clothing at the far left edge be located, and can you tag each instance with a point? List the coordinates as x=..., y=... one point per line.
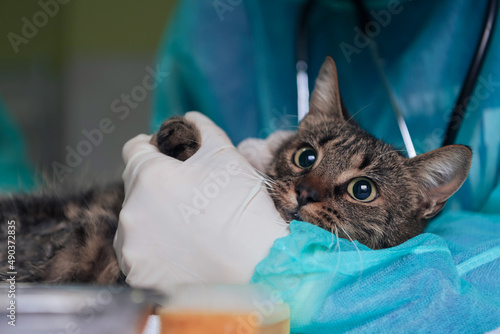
x=16, y=171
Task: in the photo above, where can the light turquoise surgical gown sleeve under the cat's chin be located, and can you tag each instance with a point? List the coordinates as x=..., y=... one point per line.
x=427, y=285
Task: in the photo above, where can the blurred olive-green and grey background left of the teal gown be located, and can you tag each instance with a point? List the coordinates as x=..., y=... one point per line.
x=64, y=79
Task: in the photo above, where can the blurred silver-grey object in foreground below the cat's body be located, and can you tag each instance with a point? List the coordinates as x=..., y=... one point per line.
x=74, y=309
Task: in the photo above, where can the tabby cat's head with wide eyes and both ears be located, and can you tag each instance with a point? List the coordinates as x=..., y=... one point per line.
x=333, y=174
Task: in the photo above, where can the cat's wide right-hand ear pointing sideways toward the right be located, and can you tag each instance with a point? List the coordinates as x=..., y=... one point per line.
x=441, y=172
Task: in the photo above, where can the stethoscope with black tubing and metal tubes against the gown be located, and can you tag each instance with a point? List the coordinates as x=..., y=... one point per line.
x=460, y=106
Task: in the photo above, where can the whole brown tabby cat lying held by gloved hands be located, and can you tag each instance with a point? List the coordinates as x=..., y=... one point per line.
x=330, y=173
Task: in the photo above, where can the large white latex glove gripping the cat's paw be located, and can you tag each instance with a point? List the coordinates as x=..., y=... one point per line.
x=207, y=219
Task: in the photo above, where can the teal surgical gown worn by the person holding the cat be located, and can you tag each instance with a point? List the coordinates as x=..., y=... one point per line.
x=235, y=61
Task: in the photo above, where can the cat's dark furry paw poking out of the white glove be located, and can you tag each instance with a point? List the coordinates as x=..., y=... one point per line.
x=178, y=138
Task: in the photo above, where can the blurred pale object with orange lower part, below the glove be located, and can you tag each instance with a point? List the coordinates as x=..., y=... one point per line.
x=248, y=309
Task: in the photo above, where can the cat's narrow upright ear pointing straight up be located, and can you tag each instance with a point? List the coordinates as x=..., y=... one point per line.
x=325, y=100
